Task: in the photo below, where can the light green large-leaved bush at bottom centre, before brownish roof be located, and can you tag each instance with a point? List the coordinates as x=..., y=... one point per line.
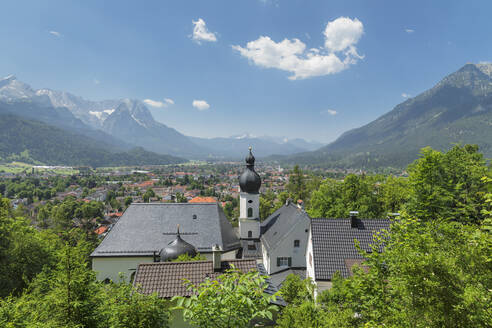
x=234, y=299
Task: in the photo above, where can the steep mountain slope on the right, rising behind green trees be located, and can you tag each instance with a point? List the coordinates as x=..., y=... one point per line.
x=456, y=110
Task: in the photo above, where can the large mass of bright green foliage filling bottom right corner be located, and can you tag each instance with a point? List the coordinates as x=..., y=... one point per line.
x=431, y=274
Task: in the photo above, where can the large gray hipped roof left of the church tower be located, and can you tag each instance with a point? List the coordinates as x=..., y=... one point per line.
x=148, y=227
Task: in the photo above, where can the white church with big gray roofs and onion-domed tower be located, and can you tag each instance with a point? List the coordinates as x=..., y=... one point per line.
x=145, y=231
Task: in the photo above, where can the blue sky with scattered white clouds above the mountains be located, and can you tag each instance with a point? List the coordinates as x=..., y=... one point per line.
x=300, y=68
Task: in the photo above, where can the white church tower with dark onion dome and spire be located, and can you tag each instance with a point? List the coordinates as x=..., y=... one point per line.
x=249, y=200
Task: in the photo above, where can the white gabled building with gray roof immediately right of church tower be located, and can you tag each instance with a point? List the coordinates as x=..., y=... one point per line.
x=284, y=236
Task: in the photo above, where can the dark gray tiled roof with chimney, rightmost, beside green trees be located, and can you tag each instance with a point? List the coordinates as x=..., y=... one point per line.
x=333, y=243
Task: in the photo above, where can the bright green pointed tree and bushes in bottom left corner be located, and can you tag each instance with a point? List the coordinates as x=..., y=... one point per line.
x=68, y=295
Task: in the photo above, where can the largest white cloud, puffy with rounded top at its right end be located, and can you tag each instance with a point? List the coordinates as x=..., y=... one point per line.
x=339, y=52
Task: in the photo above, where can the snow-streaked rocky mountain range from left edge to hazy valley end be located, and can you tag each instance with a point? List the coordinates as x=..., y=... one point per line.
x=113, y=121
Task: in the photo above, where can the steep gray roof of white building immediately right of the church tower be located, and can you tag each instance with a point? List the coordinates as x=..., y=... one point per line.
x=280, y=223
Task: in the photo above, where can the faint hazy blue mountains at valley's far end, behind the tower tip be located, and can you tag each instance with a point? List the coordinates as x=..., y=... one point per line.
x=234, y=147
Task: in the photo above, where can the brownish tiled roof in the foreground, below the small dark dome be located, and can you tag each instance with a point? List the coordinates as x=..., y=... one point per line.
x=167, y=278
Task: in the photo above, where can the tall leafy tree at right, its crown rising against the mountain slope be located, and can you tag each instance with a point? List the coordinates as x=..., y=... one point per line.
x=448, y=185
